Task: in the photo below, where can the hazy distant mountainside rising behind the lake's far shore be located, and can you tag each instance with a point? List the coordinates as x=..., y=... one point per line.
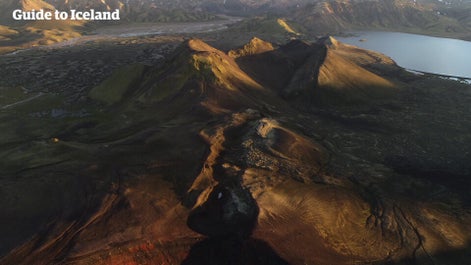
x=428, y=17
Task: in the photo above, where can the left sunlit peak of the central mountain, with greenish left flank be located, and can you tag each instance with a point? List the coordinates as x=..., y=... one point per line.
x=197, y=71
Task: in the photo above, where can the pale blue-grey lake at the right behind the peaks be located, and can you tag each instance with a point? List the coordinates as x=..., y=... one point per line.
x=417, y=52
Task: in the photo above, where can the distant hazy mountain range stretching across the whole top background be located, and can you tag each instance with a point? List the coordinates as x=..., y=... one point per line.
x=272, y=20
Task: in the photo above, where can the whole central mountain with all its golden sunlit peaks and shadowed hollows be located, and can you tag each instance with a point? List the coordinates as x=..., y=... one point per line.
x=313, y=70
